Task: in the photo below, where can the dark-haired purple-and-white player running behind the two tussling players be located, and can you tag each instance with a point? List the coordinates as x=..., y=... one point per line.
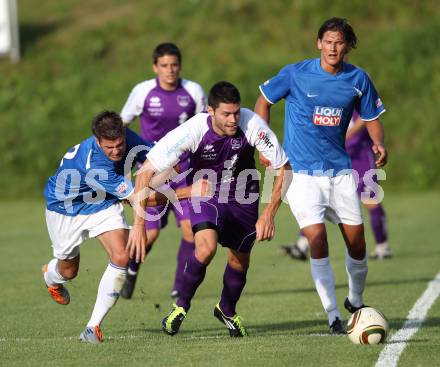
x=162, y=104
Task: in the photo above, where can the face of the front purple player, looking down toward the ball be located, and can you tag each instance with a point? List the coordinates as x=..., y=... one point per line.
x=225, y=118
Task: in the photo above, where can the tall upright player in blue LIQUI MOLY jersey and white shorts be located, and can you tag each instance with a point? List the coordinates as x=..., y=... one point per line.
x=320, y=96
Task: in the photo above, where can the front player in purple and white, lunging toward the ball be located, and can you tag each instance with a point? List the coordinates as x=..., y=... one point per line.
x=221, y=146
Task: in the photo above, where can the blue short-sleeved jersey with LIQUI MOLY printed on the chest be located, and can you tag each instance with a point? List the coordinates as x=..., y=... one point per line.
x=319, y=107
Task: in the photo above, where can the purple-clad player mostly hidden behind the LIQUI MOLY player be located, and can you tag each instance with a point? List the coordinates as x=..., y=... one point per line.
x=358, y=145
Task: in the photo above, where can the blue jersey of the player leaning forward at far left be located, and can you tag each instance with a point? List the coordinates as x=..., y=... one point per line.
x=87, y=181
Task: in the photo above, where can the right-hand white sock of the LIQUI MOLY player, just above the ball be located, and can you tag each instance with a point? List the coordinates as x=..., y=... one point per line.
x=357, y=275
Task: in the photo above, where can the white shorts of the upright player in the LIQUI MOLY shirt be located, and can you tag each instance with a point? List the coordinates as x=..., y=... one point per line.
x=315, y=198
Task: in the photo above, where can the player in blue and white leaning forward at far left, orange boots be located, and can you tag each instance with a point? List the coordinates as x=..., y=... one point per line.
x=83, y=201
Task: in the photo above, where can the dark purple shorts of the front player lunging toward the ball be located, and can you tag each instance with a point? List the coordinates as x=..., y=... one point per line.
x=234, y=222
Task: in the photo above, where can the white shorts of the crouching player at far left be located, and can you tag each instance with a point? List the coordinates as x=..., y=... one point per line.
x=67, y=232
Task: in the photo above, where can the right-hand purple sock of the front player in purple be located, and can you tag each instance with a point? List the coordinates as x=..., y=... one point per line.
x=233, y=284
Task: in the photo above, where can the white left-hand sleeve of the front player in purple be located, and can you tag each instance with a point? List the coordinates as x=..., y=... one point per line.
x=184, y=138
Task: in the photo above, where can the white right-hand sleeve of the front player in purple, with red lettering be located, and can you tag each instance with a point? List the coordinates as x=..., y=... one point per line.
x=259, y=135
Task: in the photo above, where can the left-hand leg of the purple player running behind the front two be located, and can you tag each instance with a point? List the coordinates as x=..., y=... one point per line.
x=157, y=218
